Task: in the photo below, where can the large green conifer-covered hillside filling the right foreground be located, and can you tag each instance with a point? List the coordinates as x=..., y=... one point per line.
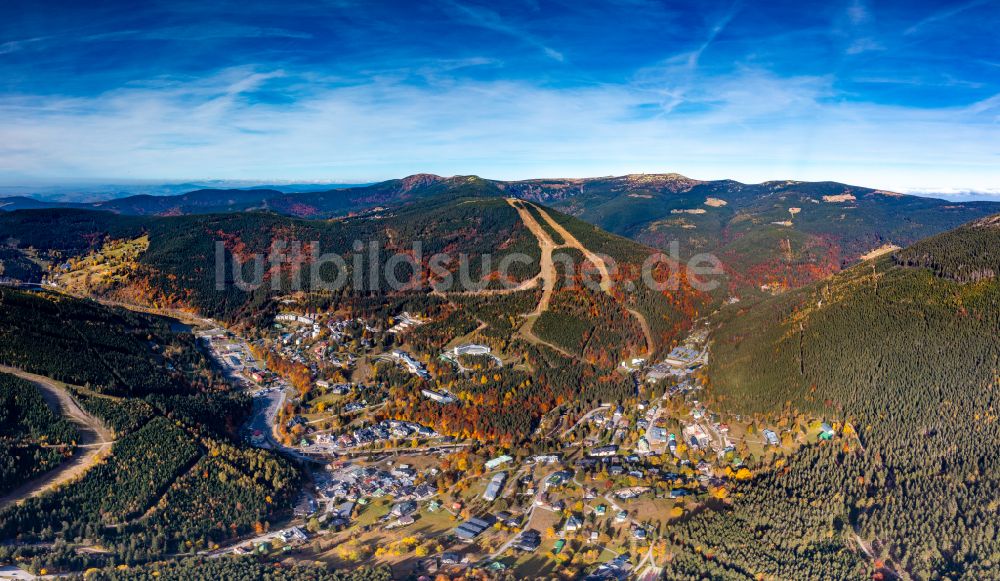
x=908, y=362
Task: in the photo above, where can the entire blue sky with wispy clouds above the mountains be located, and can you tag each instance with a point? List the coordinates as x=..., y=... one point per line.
x=900, y=95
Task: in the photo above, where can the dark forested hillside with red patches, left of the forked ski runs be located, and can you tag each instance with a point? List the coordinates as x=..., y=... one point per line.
x=179, y=267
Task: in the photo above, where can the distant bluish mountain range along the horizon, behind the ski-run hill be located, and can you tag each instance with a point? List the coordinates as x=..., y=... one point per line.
x=773, y=235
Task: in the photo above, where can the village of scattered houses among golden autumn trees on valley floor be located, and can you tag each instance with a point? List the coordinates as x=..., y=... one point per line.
x=598, y=490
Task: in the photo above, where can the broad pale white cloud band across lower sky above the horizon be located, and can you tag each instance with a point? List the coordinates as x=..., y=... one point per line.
x=751, y=125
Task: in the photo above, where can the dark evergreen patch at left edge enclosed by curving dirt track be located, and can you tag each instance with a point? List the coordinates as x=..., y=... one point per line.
x=27, y=428
